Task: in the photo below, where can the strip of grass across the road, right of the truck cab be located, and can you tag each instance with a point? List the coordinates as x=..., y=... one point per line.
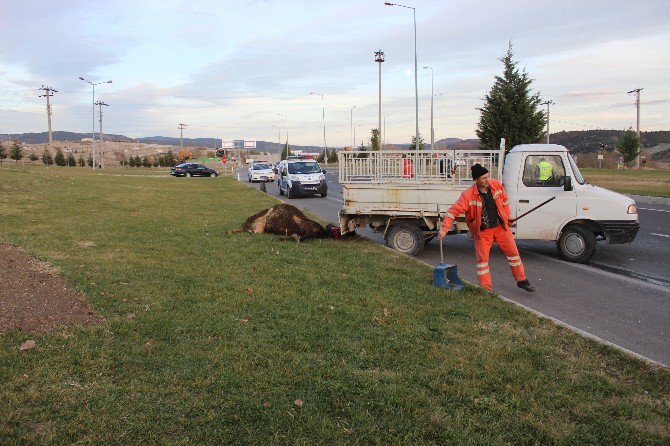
x=655, y=183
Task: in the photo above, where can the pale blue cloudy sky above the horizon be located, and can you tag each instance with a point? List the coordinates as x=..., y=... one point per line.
x=243, y=69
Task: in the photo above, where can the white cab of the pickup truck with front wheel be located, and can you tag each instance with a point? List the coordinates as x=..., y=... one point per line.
x=578, y=216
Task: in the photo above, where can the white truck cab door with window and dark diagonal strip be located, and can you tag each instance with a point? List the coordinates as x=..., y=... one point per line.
x=542, y=178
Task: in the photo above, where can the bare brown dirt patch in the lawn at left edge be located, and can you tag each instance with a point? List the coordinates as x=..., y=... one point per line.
x=34, y=298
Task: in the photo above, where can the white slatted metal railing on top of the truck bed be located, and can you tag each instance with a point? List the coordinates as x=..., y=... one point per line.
x=417, y=166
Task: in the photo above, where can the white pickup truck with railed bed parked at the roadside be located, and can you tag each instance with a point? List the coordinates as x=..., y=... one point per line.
x=402, y=193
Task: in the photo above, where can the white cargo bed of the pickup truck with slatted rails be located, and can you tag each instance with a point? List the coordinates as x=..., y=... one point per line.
x=388, y=186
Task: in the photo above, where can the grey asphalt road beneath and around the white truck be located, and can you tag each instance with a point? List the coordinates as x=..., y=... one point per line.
x=622, y=296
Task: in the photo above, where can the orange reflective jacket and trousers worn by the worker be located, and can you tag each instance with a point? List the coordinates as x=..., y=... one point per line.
x=470, y=203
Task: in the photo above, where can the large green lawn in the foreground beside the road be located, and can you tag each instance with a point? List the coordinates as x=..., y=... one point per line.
x=204, y=362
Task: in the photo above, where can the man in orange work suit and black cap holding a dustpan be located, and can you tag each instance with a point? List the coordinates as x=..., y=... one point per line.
x=487, y=215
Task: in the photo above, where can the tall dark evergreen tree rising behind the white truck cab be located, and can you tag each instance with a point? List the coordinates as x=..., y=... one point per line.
x=510, y=110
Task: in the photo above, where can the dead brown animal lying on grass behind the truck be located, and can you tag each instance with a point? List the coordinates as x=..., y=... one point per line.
x=289, y=221
